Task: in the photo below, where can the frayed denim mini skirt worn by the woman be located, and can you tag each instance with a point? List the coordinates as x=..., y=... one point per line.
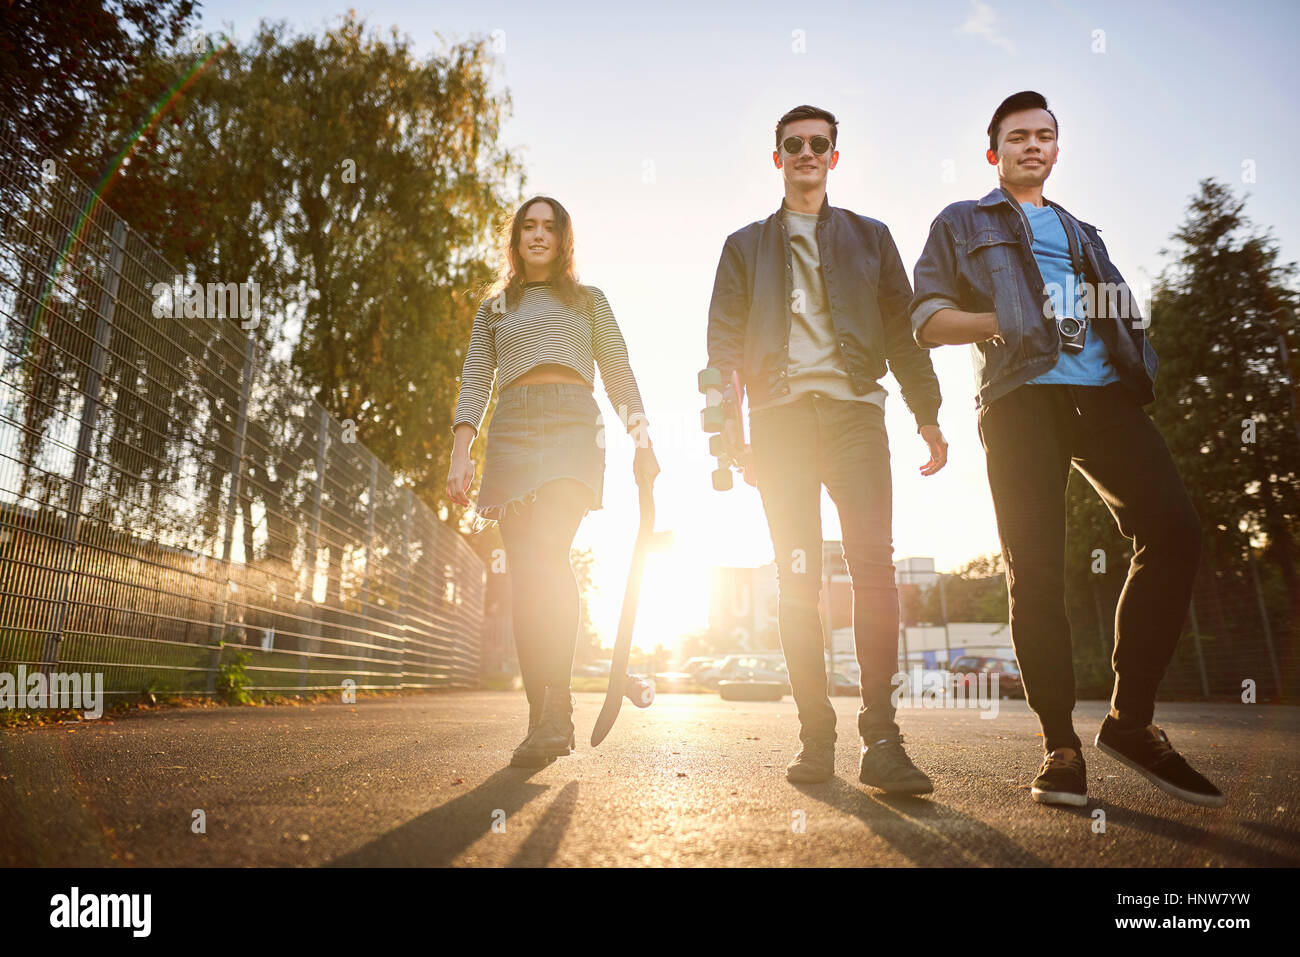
x=540, y=432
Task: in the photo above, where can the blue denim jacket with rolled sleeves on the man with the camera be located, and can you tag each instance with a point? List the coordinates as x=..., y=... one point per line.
x=980, y=259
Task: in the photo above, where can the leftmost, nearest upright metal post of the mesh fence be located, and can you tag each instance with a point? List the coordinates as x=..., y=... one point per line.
x=85, y=436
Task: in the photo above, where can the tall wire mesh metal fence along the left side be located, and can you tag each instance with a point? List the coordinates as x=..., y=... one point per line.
x=170, y=499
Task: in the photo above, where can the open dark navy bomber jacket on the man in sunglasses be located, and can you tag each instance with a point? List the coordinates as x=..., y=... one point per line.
x=868, y=292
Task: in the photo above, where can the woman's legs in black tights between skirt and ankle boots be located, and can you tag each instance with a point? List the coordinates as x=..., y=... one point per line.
x=543, y=588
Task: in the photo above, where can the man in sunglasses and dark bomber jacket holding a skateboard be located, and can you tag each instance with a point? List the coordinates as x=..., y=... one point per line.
x=811, y=306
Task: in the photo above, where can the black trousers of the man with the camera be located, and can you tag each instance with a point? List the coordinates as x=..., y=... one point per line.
x=1032, y=436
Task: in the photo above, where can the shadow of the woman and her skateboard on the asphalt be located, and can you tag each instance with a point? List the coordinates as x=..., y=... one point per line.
x=435, y=839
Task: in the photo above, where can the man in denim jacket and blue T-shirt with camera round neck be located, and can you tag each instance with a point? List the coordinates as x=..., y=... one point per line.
x=1064, y=370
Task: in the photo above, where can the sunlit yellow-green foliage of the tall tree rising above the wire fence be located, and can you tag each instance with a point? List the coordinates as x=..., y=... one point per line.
x=362, y=188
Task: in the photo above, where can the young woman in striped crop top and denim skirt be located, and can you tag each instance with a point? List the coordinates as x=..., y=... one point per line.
x=545, y=462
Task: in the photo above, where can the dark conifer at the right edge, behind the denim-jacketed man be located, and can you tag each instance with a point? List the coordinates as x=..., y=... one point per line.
x=1224, y=322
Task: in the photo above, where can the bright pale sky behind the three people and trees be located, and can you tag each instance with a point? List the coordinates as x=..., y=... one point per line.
x=655, y=127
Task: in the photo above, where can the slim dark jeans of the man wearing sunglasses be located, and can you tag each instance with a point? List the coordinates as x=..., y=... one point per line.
x=843, y=444
